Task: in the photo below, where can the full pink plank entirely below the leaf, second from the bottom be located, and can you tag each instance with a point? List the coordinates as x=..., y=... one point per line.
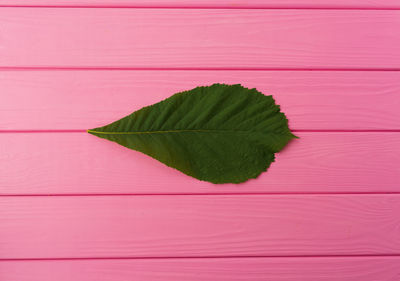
x=199, y=226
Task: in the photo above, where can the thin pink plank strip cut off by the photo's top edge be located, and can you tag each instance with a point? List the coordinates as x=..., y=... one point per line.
x=373, y=4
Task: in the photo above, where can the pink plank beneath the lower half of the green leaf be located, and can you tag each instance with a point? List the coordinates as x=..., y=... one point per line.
x=79, y=163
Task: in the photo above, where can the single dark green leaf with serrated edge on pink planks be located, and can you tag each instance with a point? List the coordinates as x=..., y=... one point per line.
x=219, y=133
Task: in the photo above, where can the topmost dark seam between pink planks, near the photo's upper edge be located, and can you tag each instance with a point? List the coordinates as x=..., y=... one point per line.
x=266, y=7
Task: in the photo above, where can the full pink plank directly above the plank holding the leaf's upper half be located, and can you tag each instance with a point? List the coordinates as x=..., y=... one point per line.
x=200, y=38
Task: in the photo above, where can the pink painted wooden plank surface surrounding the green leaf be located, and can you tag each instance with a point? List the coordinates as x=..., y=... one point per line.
x=74, y=207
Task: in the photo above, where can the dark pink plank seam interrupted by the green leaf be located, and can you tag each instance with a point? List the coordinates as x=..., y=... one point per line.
x=298, y=131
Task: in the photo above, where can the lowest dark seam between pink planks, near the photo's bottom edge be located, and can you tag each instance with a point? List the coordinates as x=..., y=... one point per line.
x=202, y=257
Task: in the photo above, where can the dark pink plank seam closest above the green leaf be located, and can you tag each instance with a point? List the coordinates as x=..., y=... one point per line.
x=105, y=68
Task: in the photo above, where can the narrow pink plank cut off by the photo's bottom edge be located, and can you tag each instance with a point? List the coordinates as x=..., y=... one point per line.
x=232, y=269
